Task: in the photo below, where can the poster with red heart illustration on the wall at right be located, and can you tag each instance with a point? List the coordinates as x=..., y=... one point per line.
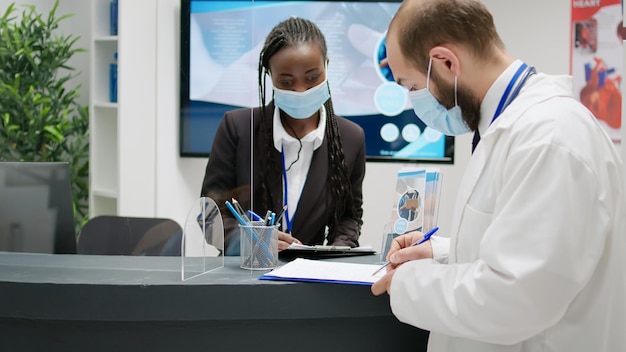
x=597, y=60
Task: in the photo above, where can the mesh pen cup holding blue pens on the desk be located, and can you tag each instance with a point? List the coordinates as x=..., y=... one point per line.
x=259, y=246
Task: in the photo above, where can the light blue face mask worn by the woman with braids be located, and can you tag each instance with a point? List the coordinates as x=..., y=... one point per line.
x=301, y=105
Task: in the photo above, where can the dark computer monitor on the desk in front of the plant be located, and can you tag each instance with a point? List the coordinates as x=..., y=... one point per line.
x=36, y=212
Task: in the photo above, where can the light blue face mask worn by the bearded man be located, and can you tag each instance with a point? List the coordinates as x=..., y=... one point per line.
x=447, y=121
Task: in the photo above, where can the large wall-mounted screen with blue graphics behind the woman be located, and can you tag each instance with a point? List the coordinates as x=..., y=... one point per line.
x=220, y=45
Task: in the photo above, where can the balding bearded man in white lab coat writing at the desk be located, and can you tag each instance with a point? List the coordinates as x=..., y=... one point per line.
x=536, y=257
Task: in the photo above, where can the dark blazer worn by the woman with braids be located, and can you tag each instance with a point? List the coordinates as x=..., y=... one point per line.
x=228, y=174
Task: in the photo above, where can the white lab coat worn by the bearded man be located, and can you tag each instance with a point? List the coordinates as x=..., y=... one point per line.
x=536, y=256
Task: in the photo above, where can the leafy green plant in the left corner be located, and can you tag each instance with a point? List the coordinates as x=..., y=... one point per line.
x=40, y=117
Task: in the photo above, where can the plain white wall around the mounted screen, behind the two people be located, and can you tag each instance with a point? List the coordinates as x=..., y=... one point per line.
x=536, y=31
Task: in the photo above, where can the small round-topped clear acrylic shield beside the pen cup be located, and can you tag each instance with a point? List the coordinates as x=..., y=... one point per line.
x=203, y=235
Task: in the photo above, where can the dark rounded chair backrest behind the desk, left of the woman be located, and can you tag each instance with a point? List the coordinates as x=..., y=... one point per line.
x=119, y=235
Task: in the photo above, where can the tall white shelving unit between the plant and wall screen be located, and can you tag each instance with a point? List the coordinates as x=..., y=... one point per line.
x=123, y=143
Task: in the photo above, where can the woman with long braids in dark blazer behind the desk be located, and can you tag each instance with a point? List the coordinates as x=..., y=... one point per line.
x=292, y=150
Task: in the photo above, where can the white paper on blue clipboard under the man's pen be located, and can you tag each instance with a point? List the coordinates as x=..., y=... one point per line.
x=309, y=270
